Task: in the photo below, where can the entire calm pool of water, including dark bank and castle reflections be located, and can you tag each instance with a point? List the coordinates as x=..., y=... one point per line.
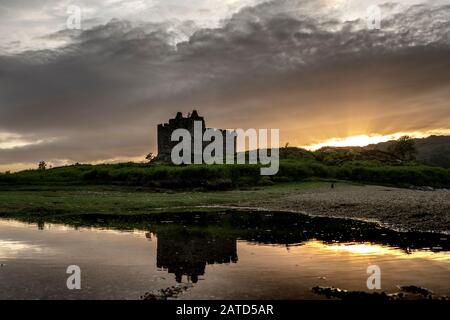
x=223, y=256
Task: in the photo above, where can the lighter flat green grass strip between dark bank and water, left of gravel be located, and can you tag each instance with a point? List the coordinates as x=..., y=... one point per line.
x=115, y=200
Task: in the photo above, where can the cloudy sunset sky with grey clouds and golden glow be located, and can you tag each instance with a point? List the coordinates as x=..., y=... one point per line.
x=314, y=69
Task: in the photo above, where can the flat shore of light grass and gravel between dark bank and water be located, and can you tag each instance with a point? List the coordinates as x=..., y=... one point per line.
x=394, y=208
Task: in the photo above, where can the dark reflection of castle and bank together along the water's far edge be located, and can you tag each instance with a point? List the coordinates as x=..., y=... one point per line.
x=186, y=246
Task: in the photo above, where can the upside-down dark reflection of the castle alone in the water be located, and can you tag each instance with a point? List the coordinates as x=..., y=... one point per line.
x=188, y=253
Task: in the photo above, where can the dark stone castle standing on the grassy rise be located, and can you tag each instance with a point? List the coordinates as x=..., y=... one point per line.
x=165, y=145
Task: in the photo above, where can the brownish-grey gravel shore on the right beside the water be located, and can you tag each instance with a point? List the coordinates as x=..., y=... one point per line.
x=405, y=209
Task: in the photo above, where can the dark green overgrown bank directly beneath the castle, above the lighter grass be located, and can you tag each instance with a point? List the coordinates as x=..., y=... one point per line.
x=227, y=177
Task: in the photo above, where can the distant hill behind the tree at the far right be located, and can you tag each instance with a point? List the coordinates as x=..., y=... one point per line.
x=433, y=150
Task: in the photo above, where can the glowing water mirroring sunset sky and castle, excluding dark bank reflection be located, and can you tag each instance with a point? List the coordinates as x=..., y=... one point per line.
x=120, y=265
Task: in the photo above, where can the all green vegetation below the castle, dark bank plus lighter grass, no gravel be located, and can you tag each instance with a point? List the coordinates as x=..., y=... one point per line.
x=132, y=188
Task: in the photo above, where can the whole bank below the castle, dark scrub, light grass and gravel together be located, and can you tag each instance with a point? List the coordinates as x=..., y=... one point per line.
x=136, y=189
